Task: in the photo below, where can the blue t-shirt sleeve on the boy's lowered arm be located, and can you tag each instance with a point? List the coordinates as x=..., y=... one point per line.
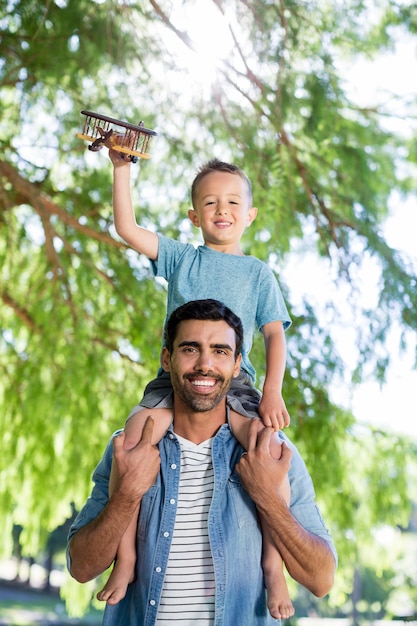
x=271, y=305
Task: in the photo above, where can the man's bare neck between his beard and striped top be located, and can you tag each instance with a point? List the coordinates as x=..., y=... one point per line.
x=198, y=426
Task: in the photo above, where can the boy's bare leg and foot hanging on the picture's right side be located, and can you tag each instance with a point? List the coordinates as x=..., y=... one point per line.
x=279, y=602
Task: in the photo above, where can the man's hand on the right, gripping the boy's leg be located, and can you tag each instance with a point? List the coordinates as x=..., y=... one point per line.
x=260, y=473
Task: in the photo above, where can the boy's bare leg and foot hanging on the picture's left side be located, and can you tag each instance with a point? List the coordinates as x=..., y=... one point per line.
x=123, y=571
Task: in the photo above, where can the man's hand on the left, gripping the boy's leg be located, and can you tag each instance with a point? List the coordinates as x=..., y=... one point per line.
x=136, y=469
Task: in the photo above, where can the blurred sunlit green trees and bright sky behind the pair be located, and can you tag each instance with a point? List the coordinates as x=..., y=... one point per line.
x=317, y=102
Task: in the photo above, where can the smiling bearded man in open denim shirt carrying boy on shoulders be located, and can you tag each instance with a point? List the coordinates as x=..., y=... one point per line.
x=199, y=540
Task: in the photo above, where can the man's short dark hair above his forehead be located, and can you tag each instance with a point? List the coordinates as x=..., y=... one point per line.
x=210, y=310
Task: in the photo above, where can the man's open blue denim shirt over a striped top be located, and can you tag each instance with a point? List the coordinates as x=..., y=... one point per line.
x=235, y=535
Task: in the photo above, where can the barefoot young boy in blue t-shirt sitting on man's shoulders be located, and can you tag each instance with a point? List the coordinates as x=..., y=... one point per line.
x=222, y=207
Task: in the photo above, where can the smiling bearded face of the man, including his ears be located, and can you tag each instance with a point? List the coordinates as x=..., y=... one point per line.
x=202, y=363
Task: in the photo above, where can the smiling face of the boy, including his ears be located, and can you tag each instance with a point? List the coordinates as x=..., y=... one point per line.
x=222, y=208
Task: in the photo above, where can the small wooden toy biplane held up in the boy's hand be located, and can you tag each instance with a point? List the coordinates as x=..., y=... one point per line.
x=131, y=140
